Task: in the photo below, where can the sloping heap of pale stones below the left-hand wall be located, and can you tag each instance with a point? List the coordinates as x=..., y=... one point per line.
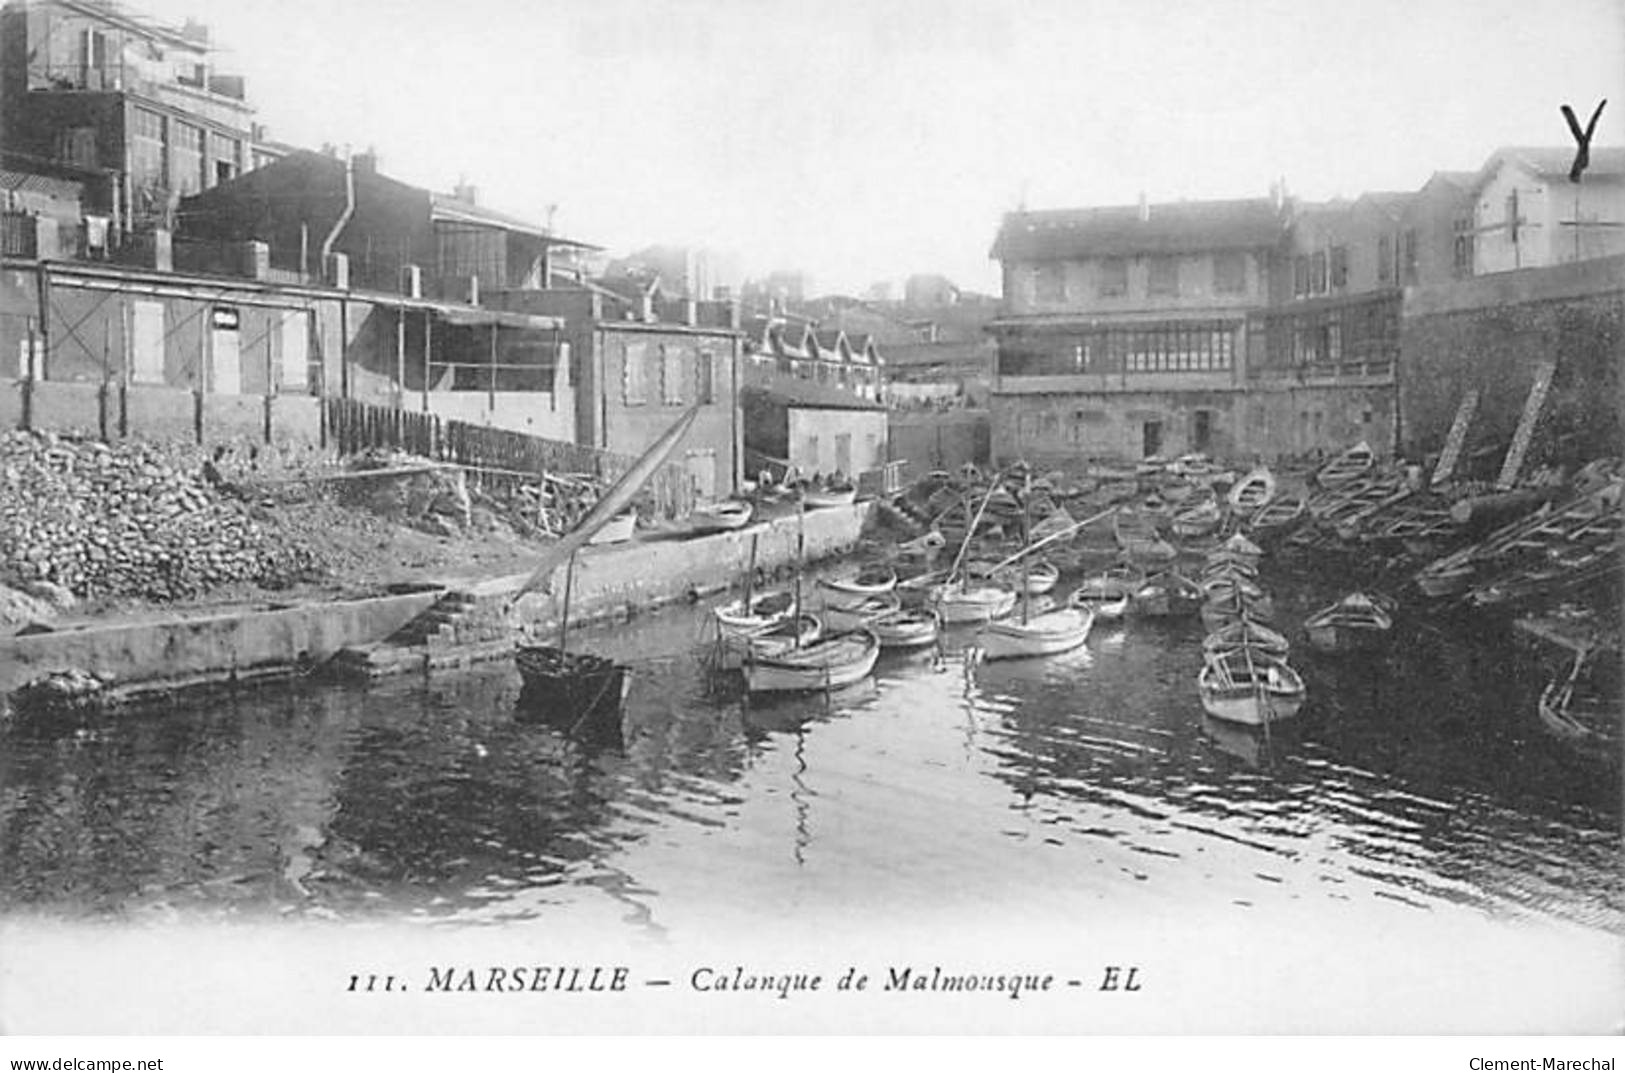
x=132, y=519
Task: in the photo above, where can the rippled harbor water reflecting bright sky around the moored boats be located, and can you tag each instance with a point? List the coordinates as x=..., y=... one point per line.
x=1416, y=783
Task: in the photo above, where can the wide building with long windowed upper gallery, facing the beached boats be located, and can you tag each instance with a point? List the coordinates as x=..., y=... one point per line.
x=1125, y=331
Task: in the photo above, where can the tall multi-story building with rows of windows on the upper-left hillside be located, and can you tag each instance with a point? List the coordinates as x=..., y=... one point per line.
x=134, y=108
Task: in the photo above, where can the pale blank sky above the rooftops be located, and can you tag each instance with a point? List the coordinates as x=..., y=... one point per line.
x=865, y=141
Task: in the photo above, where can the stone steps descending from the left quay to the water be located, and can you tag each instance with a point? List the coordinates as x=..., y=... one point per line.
x=461, y=630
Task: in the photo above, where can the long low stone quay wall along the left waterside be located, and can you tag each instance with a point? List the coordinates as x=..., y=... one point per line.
x=443, y=623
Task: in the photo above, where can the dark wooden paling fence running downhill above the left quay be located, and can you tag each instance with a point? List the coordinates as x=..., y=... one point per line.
x=493, y=458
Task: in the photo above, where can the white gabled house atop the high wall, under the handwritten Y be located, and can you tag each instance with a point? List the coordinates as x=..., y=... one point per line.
x=1530, y=215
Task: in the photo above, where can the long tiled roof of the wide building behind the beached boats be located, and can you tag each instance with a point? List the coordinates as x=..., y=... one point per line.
x=1166, y=228
